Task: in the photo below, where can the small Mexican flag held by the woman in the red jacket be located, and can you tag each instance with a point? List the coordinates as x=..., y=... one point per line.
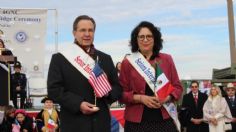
x=163, y=85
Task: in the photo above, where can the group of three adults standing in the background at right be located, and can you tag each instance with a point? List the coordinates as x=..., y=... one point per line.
x=209, y=113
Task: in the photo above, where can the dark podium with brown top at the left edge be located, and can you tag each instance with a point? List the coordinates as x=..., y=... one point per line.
x=5, y=72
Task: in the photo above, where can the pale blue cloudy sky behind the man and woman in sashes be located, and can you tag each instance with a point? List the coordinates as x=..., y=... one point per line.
x=195, y=32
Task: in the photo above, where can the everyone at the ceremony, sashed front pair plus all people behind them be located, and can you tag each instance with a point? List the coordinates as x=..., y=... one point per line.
x=85, y=82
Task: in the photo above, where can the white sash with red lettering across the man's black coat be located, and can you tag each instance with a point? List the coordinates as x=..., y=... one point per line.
x=78, y=58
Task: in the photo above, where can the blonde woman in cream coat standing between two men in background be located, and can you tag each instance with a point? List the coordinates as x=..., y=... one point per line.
x=216, y=110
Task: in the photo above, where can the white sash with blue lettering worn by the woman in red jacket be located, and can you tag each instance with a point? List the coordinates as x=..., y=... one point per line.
x=144, y=68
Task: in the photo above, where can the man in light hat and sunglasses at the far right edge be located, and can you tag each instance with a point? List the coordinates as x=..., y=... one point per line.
x=230, y=98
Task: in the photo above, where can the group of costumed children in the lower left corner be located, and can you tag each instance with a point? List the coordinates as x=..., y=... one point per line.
x=17, y=120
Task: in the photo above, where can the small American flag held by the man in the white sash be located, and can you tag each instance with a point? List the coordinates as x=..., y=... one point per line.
x=99, y=81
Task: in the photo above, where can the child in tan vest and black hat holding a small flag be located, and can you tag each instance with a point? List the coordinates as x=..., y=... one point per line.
x=47, y=119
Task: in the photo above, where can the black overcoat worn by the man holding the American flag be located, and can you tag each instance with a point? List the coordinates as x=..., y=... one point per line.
x=68, y=87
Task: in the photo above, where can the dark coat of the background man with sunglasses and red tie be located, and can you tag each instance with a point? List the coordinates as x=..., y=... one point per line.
x=195, y=111
